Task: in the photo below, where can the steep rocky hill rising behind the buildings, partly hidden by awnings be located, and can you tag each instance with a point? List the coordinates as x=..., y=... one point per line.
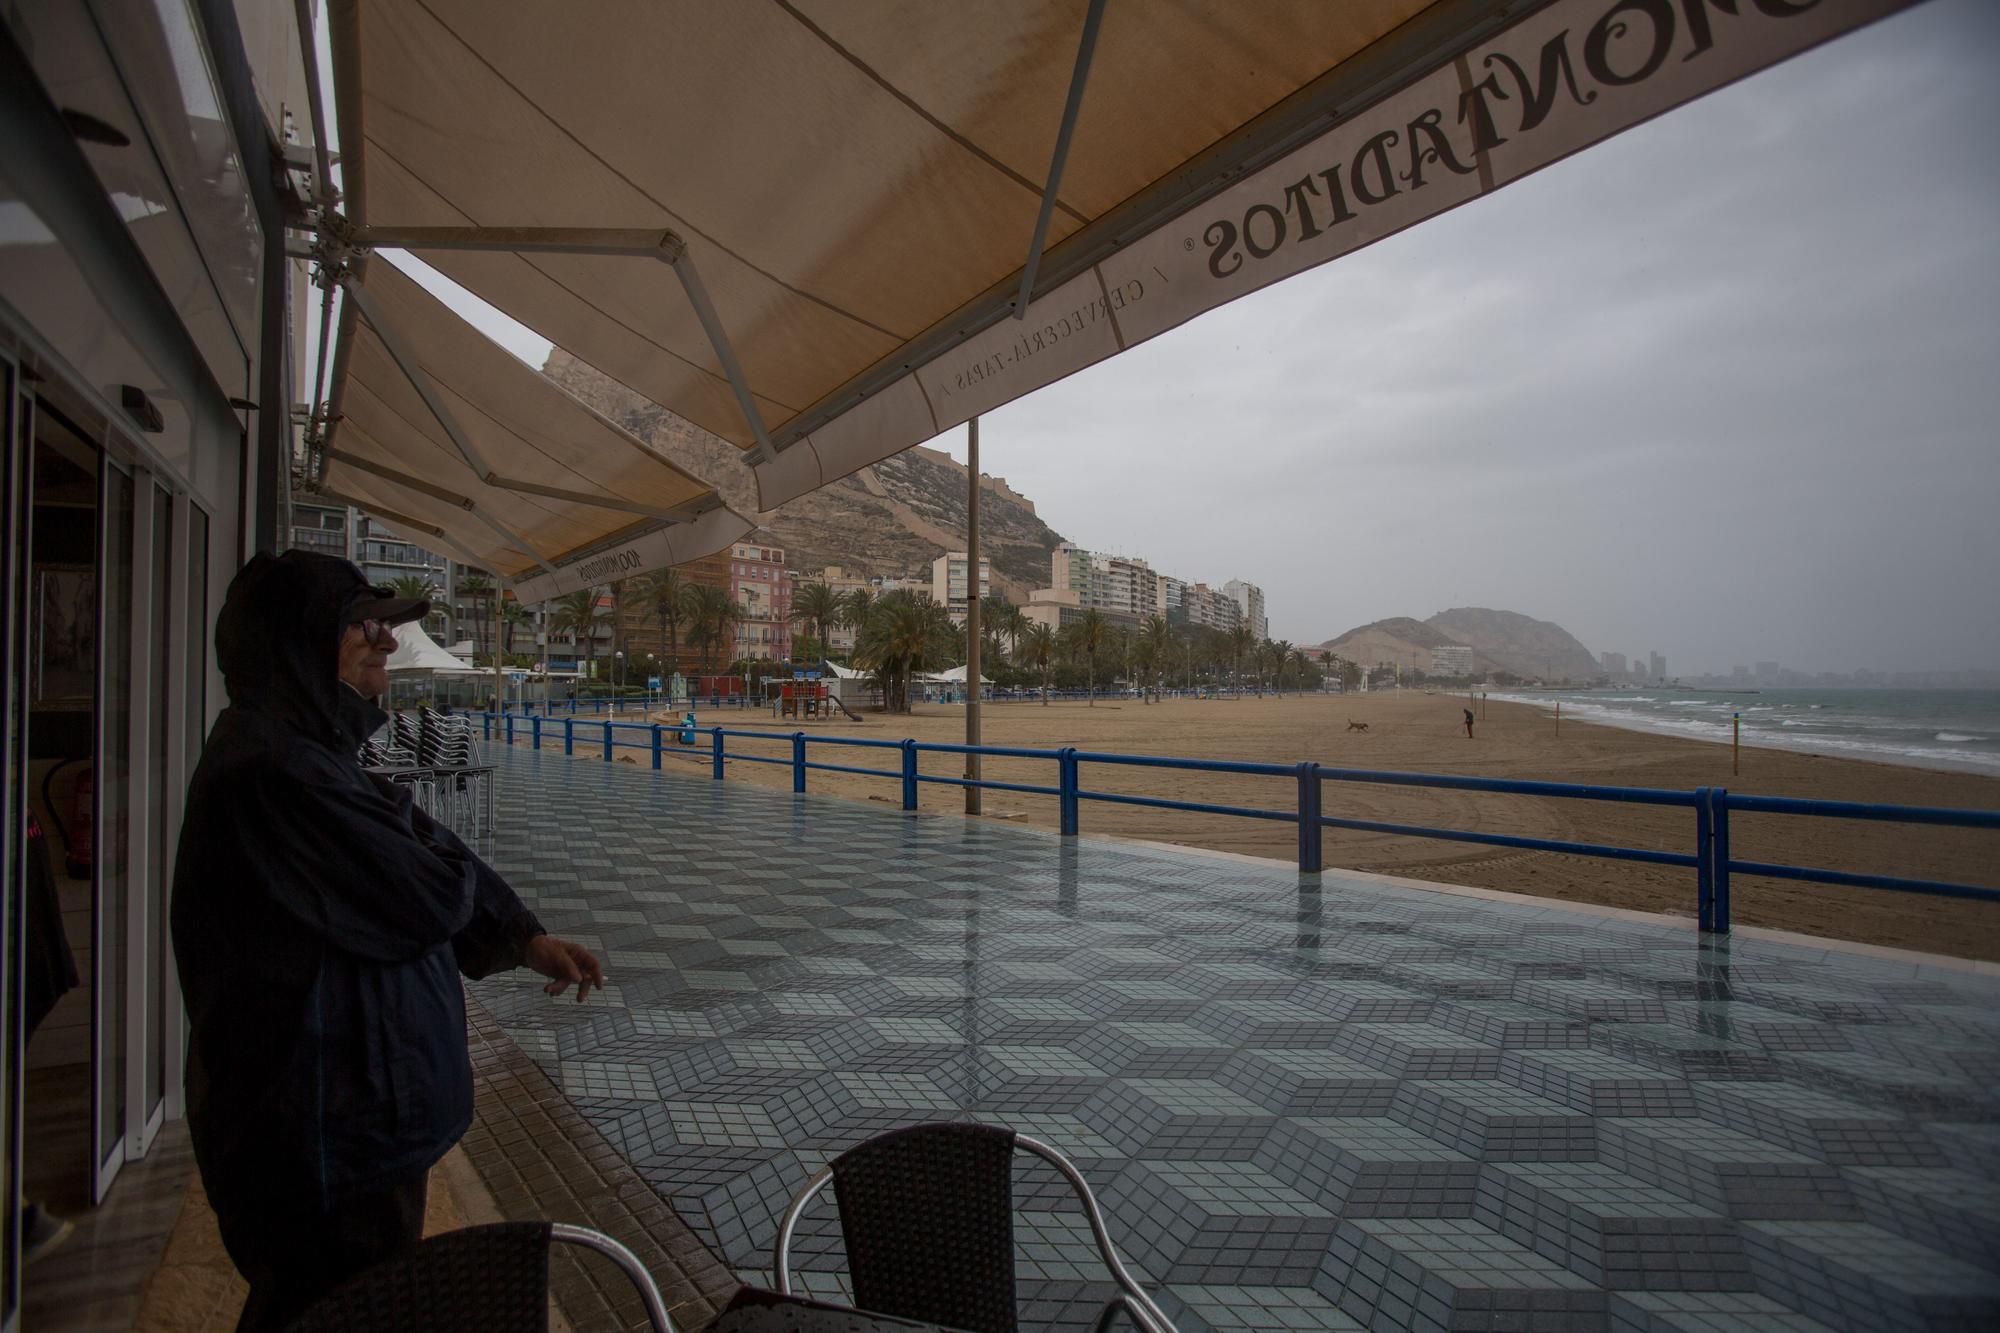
x=891, y=519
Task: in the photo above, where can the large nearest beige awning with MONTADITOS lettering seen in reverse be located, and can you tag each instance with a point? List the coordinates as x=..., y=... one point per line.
x=855, y=185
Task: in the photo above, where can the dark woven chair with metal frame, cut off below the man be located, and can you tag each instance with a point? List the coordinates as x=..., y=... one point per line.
x=479, y=1280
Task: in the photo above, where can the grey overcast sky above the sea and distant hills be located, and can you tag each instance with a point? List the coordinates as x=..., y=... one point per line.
x=1727, y=387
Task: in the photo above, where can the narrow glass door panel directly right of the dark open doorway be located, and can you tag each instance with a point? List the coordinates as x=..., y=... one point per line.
x=113, y=828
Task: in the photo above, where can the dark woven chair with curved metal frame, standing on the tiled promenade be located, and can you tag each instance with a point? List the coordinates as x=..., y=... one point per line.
x=929, y=1222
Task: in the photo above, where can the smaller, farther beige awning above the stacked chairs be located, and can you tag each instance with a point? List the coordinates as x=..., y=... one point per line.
x=441, y=429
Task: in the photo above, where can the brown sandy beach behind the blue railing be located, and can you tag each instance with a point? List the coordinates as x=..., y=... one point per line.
x=1411, y=732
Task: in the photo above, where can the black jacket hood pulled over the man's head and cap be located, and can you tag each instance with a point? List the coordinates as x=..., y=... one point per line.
x=279, y=645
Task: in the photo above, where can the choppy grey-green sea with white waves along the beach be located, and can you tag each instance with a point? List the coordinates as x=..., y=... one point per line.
x=1927, y=730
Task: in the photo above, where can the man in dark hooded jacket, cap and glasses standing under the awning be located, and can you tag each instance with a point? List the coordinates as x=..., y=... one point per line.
x=321, y=926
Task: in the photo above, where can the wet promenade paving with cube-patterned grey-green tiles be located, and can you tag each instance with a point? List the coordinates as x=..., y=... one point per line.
x=1307, y=1104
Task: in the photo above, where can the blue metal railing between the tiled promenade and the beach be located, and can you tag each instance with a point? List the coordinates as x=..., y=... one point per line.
x=1711, y=860
